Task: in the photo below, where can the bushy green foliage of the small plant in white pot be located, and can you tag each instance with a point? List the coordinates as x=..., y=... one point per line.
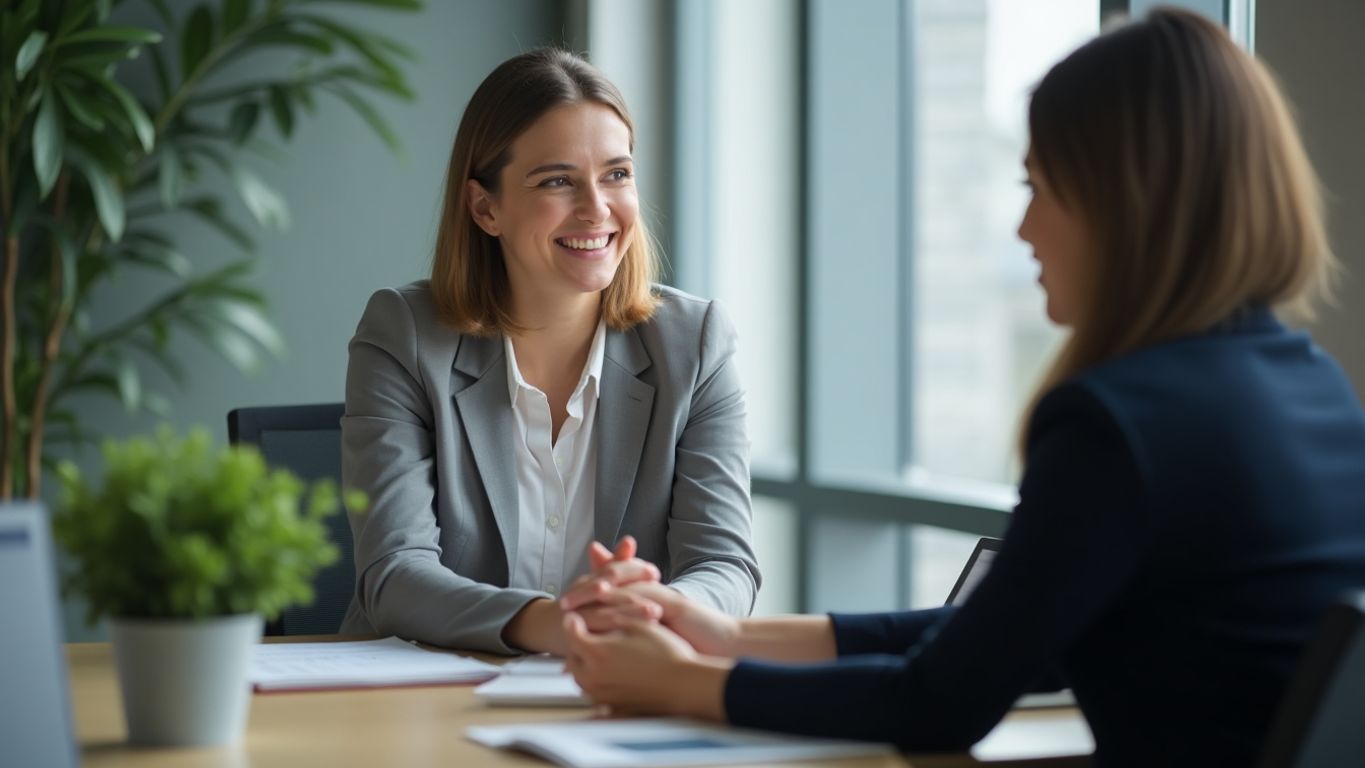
x=182, y=529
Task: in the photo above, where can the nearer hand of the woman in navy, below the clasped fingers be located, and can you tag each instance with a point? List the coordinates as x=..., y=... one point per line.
x=644, y=669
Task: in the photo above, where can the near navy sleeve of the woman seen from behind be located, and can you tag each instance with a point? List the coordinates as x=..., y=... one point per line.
x=1076, y=540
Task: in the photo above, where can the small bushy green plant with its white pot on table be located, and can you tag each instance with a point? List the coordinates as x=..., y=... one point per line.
x=185, y=546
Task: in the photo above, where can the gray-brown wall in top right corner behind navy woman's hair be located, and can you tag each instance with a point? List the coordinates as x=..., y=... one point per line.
x=1315, y=50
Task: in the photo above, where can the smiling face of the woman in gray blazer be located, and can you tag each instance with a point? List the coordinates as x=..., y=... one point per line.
x=566, y=207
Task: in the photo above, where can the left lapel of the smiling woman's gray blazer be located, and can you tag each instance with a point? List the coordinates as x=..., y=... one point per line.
x=487, y=414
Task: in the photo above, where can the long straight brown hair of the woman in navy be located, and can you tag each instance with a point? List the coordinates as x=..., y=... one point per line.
x=1181, y=158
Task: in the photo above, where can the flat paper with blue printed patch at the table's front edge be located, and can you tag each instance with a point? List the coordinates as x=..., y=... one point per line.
x=612, y=744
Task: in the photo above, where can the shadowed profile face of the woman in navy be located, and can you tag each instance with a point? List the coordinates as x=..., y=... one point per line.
x=1060, y=245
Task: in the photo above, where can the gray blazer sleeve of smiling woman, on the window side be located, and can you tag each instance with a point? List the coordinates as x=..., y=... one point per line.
x=710, y=523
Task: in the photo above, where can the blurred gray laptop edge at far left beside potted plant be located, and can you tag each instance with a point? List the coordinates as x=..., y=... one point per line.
x=36, y=726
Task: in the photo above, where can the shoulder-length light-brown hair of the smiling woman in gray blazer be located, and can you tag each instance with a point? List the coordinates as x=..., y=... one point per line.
x=469, y=276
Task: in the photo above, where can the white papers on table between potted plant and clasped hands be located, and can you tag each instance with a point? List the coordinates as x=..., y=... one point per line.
x=369, y=664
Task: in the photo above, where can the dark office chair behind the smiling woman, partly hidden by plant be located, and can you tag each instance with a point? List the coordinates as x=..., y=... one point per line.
x=308, y=441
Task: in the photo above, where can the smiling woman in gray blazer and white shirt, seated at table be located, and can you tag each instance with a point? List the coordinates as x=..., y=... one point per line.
x=540, y=394
